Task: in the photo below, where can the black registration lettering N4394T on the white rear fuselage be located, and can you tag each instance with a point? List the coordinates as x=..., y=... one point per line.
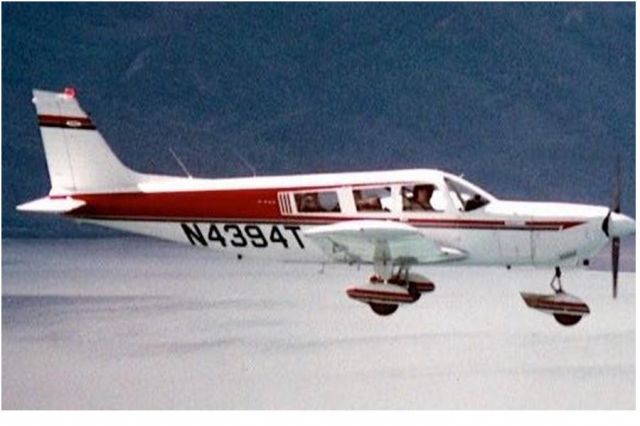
x=230, y=235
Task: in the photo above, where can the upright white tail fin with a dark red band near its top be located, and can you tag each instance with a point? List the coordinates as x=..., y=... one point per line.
x=78, y=158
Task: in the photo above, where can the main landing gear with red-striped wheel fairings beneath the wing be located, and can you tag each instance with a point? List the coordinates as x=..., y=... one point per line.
x=384, y=296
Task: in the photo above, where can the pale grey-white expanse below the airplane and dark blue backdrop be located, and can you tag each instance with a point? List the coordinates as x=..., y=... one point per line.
x=135, y=323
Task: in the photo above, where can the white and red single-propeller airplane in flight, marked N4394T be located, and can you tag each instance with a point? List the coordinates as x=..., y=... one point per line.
x=392, y=220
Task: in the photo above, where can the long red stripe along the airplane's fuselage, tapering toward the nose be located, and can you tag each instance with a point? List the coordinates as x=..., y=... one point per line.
x=253, y=205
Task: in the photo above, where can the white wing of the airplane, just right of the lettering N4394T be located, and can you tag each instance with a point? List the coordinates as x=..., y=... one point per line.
x=371, y=241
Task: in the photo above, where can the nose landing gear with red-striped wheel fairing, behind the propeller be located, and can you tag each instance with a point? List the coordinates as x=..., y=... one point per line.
x=566, y=308
